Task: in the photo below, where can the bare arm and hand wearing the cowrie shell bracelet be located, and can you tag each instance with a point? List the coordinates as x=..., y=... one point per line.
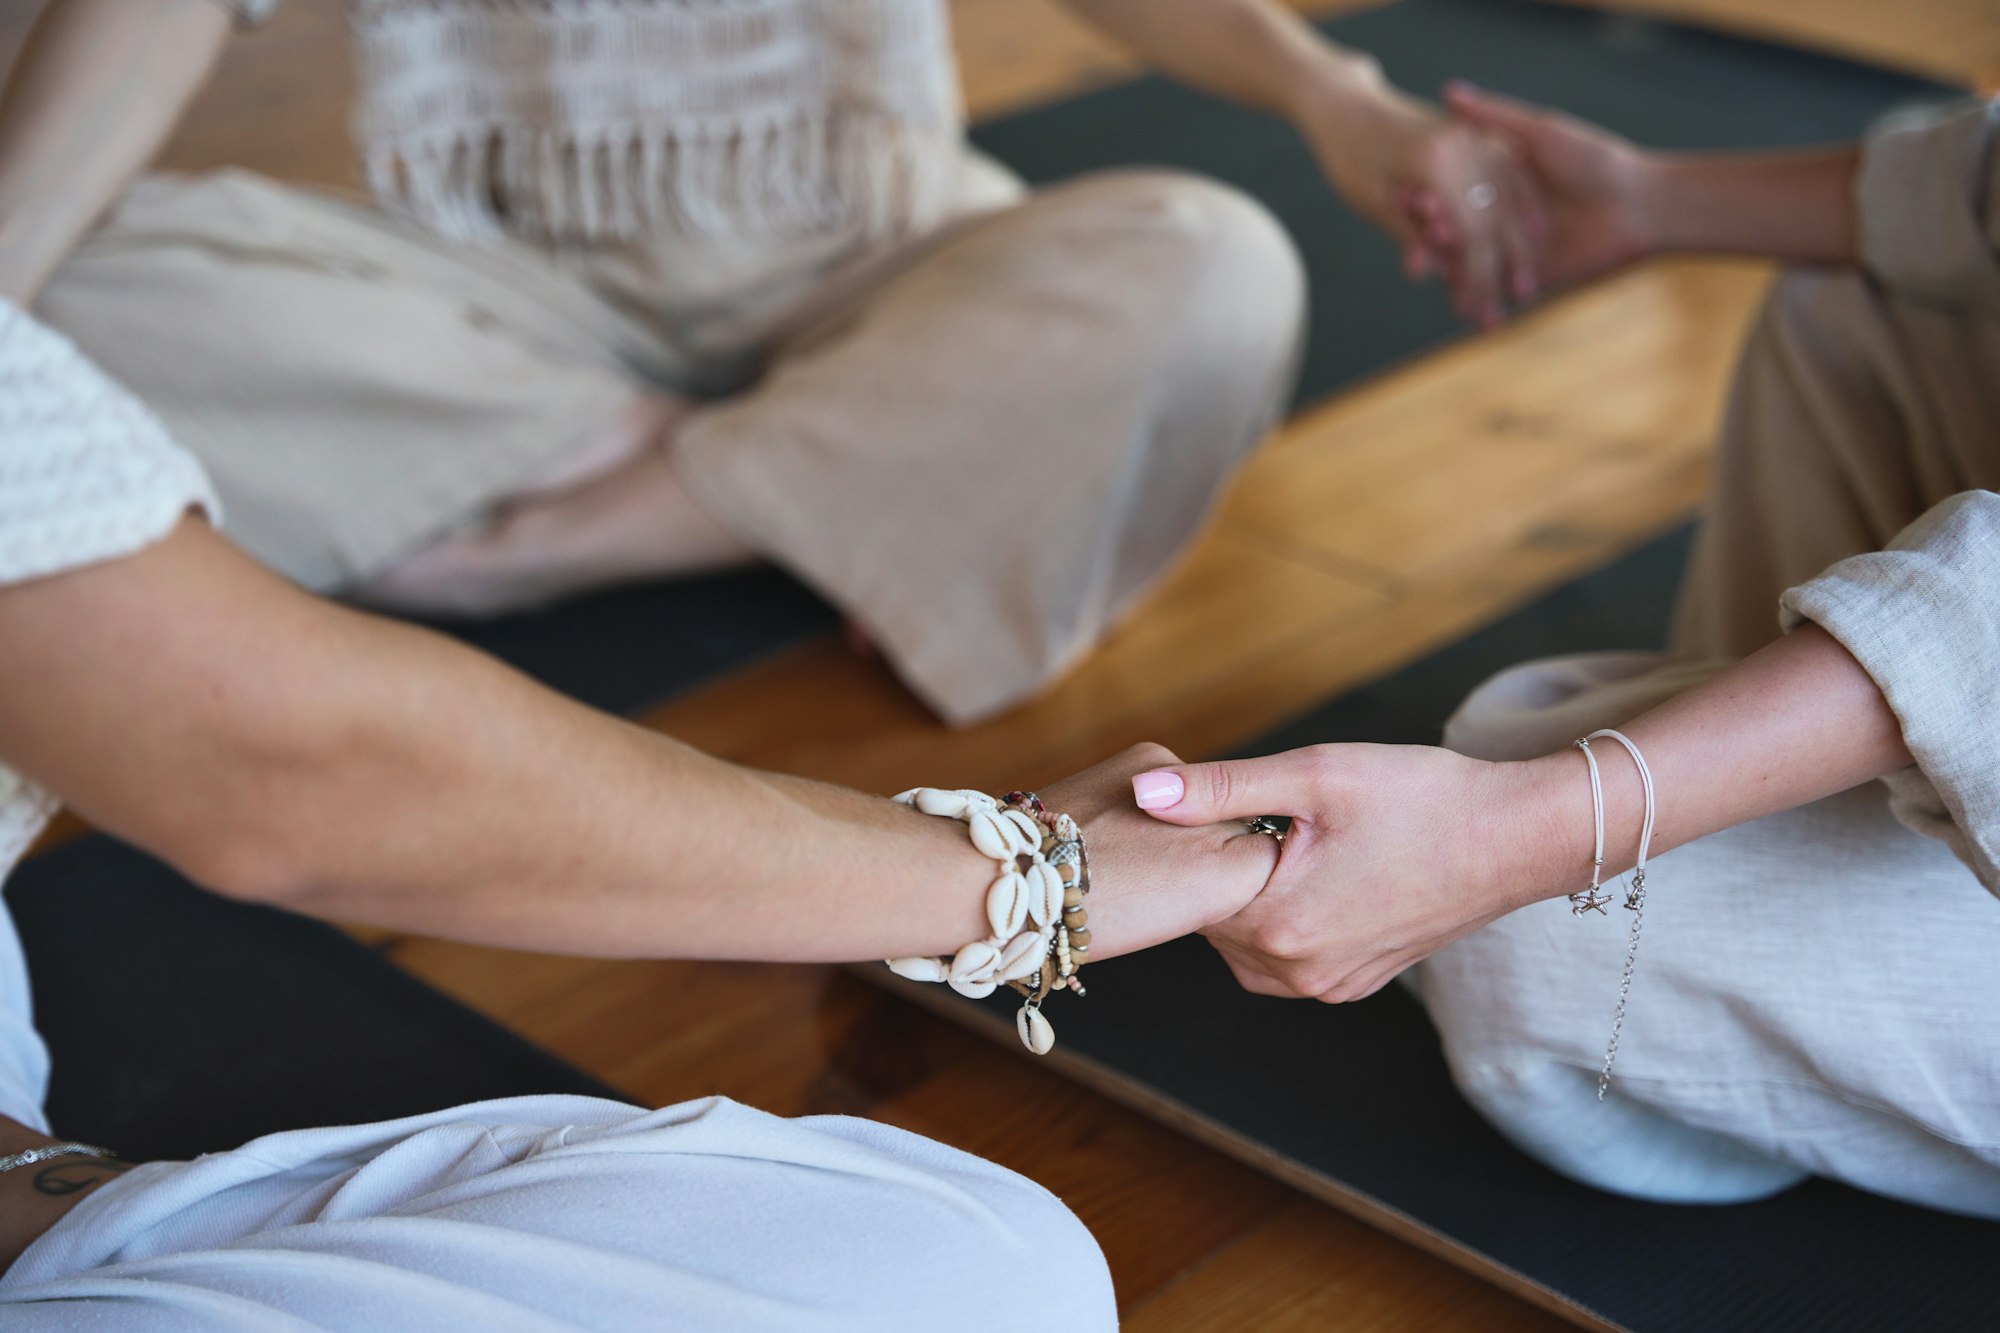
x=285, y=750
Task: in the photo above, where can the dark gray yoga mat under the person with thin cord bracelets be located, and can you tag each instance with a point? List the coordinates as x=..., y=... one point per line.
x=1355, y=1102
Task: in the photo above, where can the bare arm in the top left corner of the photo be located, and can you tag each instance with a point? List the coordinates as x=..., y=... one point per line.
x=93, y=95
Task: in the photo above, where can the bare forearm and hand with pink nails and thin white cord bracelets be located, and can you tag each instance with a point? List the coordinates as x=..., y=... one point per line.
x=1399, y=850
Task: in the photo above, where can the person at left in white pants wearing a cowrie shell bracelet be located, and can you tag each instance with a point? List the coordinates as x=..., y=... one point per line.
x=283, y=750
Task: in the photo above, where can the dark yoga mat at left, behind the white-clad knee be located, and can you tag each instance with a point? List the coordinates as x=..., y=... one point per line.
x=183, y=1024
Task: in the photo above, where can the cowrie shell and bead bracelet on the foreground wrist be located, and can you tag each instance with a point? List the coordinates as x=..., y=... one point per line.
x=1035, y=908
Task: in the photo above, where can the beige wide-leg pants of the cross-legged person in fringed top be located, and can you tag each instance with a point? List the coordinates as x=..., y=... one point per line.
x=985, y=445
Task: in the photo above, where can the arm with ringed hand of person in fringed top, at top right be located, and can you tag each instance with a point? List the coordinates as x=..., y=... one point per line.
x=1375, y=143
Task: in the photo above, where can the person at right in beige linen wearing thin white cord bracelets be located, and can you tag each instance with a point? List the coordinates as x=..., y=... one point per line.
x=1817, y=988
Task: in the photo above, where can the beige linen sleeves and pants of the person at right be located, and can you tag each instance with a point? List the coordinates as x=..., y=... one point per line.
x=1819, y=992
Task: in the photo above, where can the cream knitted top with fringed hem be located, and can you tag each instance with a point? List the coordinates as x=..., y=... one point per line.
x=619, y=119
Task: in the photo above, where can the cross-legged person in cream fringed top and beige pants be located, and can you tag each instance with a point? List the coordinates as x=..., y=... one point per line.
x=663, y=287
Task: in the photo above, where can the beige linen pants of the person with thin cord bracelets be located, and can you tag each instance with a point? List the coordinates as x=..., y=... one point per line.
x=1817, y=992
